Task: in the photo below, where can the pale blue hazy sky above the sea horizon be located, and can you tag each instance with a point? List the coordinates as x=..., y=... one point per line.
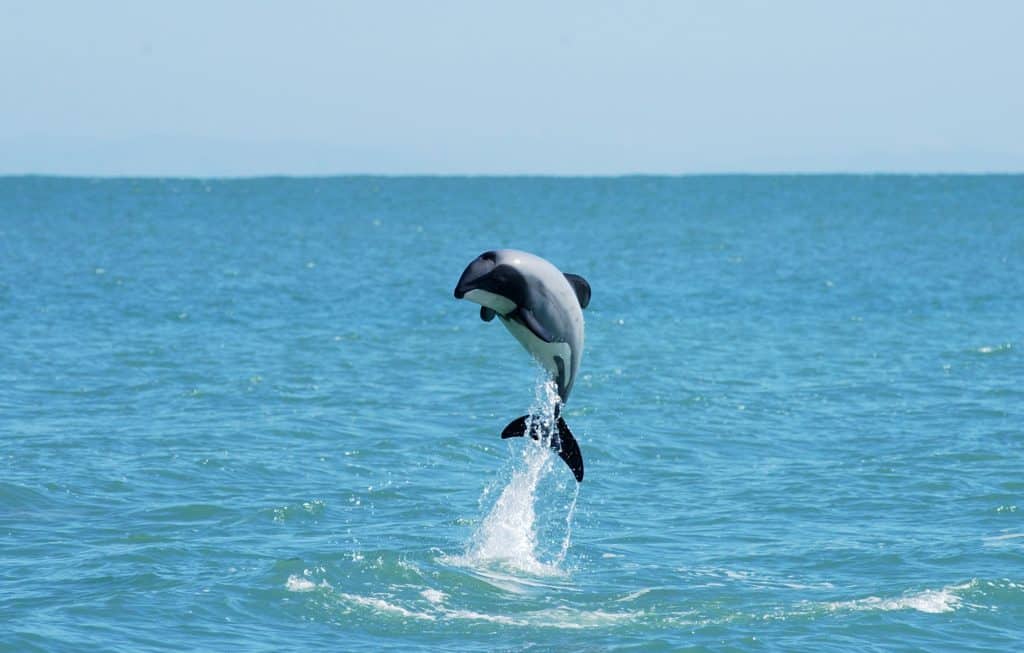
x=222, y=89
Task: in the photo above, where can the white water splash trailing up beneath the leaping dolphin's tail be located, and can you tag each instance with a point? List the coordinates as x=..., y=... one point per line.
x=532, y=511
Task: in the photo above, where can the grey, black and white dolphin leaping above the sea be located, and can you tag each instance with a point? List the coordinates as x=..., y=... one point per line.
x=542, y=308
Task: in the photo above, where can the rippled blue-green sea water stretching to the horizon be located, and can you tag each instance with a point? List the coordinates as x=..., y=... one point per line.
x=249, y=415
